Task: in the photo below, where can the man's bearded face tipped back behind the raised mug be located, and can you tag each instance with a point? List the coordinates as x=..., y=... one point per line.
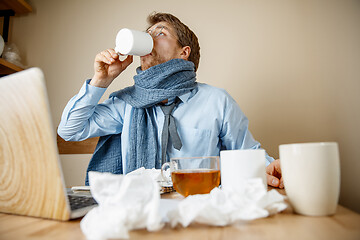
x=166, y=47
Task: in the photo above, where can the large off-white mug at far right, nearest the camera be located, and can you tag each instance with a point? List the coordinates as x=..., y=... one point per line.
x=311, y=174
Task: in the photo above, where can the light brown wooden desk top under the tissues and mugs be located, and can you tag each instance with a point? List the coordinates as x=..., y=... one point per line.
x=345, y=224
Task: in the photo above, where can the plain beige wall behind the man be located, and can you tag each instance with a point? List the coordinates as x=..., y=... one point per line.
x=293, y=66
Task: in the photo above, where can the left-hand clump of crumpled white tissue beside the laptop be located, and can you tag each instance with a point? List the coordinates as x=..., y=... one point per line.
x=125, y=202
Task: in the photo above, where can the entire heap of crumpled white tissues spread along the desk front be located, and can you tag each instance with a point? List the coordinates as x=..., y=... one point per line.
x=132, y=201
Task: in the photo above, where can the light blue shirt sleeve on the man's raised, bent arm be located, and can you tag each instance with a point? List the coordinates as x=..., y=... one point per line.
x=84, y=118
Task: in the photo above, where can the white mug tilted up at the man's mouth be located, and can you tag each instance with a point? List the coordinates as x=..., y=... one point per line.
x=133, y=42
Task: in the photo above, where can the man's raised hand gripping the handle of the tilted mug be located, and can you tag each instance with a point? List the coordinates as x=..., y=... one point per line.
x=107, y=67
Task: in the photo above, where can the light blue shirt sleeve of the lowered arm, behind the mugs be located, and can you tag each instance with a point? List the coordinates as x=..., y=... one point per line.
x=235, y=133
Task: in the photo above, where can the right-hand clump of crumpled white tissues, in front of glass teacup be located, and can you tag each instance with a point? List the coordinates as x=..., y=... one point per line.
x=225, y=207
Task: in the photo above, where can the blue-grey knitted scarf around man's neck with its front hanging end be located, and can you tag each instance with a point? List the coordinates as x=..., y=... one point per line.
x=164, y=81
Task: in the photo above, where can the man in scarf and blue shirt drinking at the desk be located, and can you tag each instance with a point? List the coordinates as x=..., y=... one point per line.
x=165, y=114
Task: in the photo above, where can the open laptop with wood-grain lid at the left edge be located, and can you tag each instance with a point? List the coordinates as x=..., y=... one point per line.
x=31, y=179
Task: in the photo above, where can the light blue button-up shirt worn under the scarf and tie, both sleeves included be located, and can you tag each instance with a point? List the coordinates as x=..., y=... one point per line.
x=208, y=120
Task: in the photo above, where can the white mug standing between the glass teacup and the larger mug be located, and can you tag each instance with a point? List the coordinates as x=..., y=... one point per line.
x=237, y=166
